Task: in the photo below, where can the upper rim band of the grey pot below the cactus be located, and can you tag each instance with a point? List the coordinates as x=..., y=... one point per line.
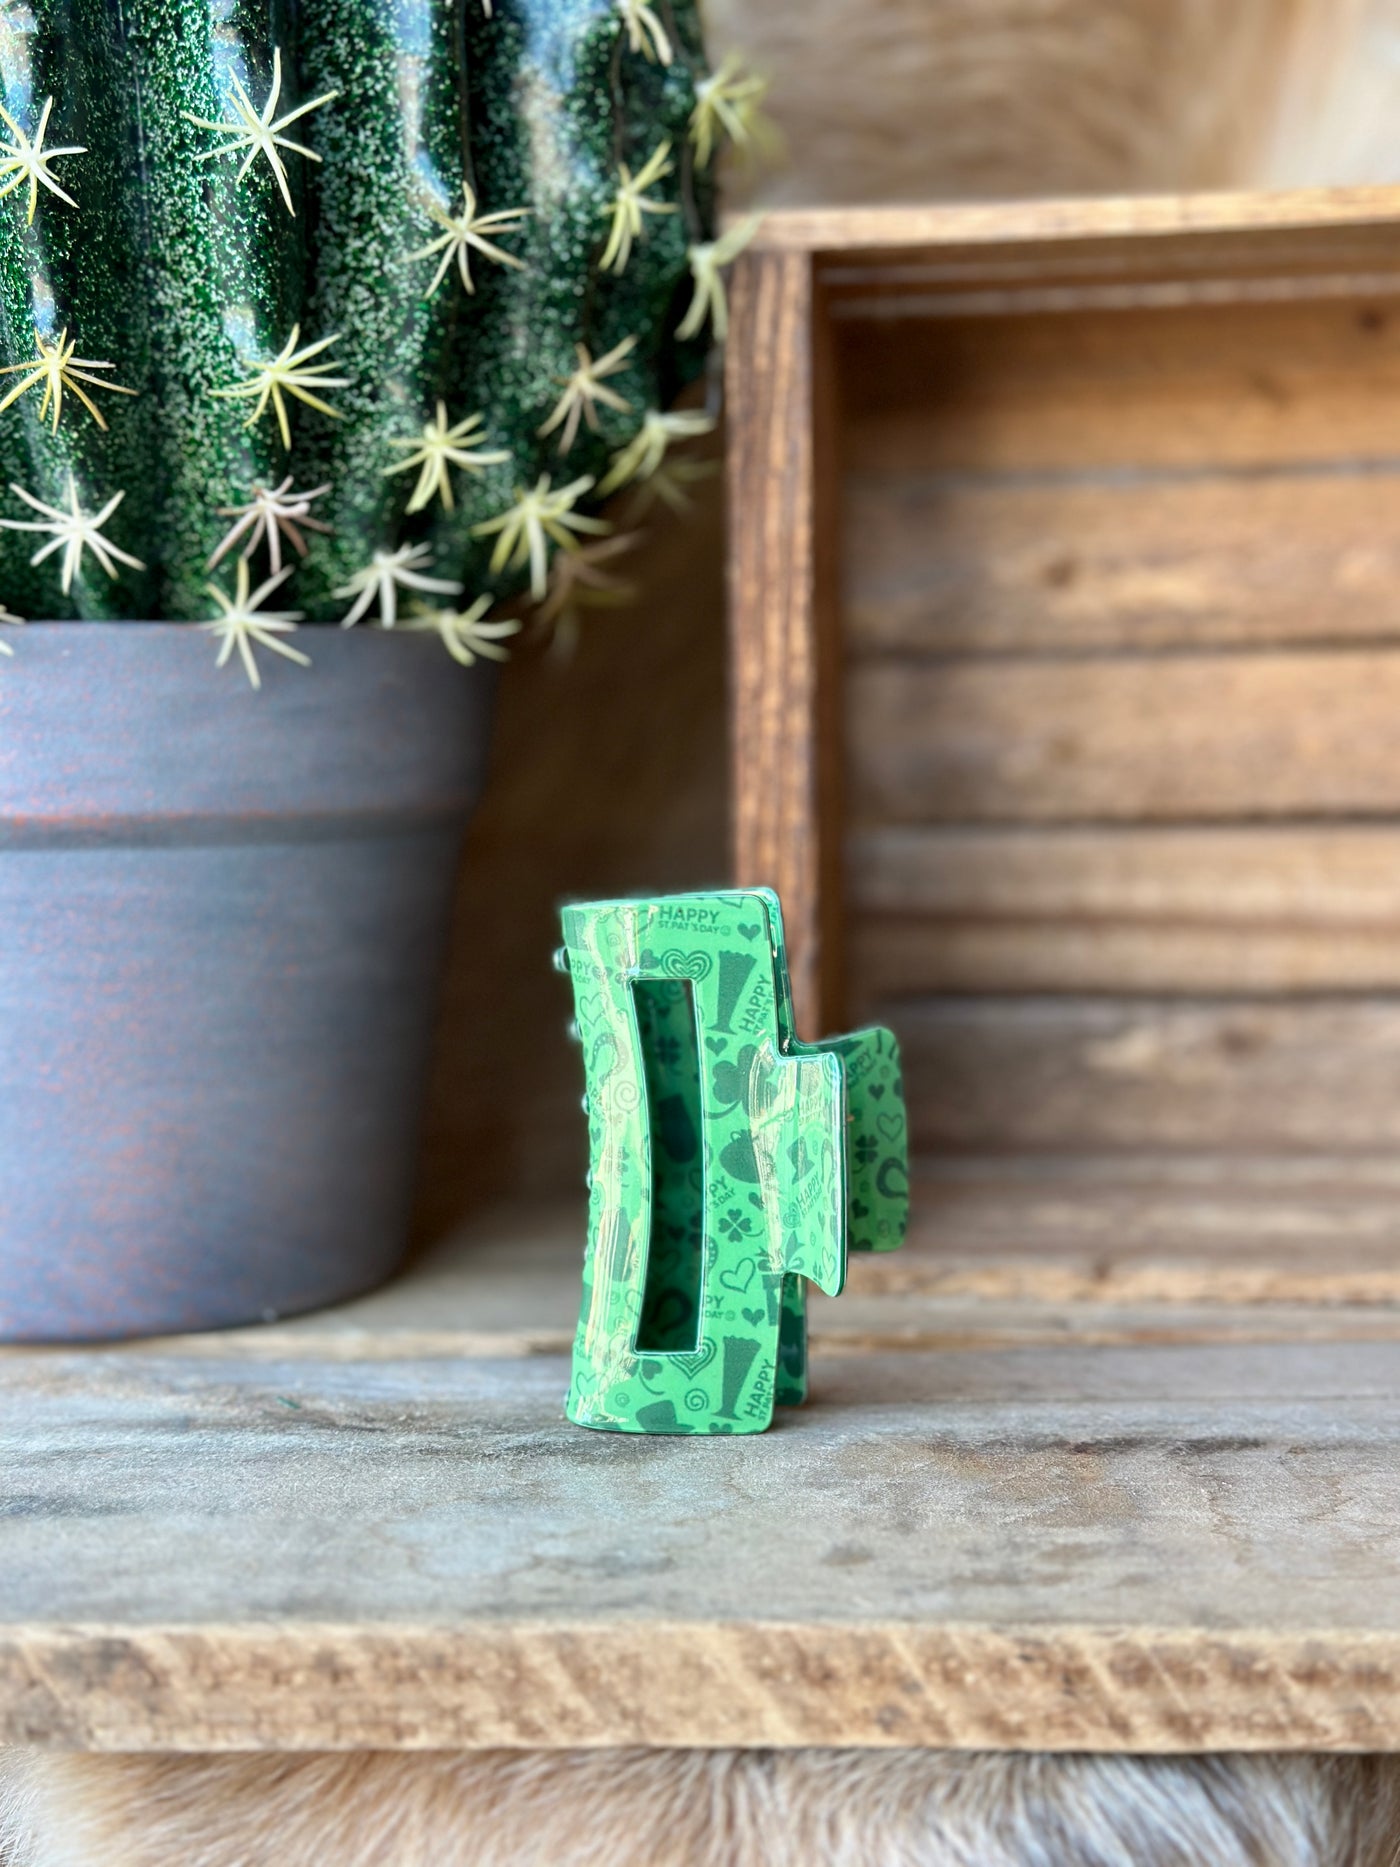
x=107, y=722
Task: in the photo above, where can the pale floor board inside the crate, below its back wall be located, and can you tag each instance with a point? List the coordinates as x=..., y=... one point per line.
x=1141, y=1246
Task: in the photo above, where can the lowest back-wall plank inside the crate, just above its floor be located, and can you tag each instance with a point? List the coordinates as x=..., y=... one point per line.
x=1151, y=1074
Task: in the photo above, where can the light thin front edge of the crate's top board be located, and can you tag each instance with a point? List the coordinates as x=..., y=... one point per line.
x=897, y=229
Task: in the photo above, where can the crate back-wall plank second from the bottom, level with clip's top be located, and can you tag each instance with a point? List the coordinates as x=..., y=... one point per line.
x=1220, y=910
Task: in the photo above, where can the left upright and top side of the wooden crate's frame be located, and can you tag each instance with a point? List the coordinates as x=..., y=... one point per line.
x=785, y=456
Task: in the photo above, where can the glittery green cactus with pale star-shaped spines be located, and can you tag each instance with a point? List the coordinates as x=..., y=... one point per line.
x=348, y=311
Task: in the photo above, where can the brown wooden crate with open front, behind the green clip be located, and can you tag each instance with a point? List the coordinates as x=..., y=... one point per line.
x=1067, y=681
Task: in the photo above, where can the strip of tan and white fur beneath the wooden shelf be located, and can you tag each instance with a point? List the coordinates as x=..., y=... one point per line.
x=701, y=1810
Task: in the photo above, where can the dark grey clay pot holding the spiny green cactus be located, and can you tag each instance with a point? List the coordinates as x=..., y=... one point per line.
x=223, y=923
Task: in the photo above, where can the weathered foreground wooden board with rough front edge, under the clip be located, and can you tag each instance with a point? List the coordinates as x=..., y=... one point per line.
x=1031, y=1549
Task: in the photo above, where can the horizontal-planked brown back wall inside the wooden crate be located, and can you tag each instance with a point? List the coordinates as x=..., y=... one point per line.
x=1123, y=748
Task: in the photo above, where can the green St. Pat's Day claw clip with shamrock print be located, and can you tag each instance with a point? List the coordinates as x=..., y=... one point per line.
x=731, y=1164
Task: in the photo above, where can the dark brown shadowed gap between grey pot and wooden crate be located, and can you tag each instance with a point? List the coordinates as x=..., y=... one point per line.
x=608, y=778
